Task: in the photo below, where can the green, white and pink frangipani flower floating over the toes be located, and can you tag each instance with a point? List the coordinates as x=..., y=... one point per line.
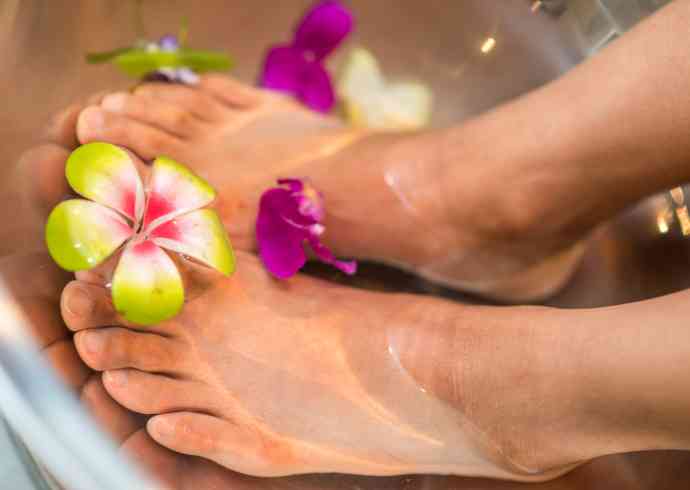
x=147, y=287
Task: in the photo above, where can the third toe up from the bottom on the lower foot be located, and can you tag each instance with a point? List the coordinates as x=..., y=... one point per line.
x=106, y=349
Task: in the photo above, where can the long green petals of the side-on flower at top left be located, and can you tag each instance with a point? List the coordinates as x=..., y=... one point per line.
x=138, y=63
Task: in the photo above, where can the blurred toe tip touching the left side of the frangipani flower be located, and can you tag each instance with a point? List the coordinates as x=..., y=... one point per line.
x=42, y=173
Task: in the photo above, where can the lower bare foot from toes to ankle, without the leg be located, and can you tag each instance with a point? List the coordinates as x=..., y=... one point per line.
x=268, y=378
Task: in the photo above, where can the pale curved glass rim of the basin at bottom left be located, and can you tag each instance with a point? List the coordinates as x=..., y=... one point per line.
x=50, y=420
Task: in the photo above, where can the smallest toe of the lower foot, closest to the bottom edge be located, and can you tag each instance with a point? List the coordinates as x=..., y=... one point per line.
x=238, y=447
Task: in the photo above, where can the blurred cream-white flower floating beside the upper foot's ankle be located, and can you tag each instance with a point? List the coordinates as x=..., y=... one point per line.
x=371, y=101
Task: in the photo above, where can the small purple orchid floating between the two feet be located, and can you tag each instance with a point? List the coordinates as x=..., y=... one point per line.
x=289, y=217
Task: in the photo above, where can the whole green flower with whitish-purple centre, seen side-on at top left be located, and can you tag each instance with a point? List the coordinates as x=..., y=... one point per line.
x=165, y=60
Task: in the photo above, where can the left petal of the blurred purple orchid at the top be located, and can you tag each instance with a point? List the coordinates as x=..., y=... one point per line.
x=282, y=70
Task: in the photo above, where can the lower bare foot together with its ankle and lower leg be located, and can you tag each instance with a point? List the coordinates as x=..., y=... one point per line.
x=401, y=372
